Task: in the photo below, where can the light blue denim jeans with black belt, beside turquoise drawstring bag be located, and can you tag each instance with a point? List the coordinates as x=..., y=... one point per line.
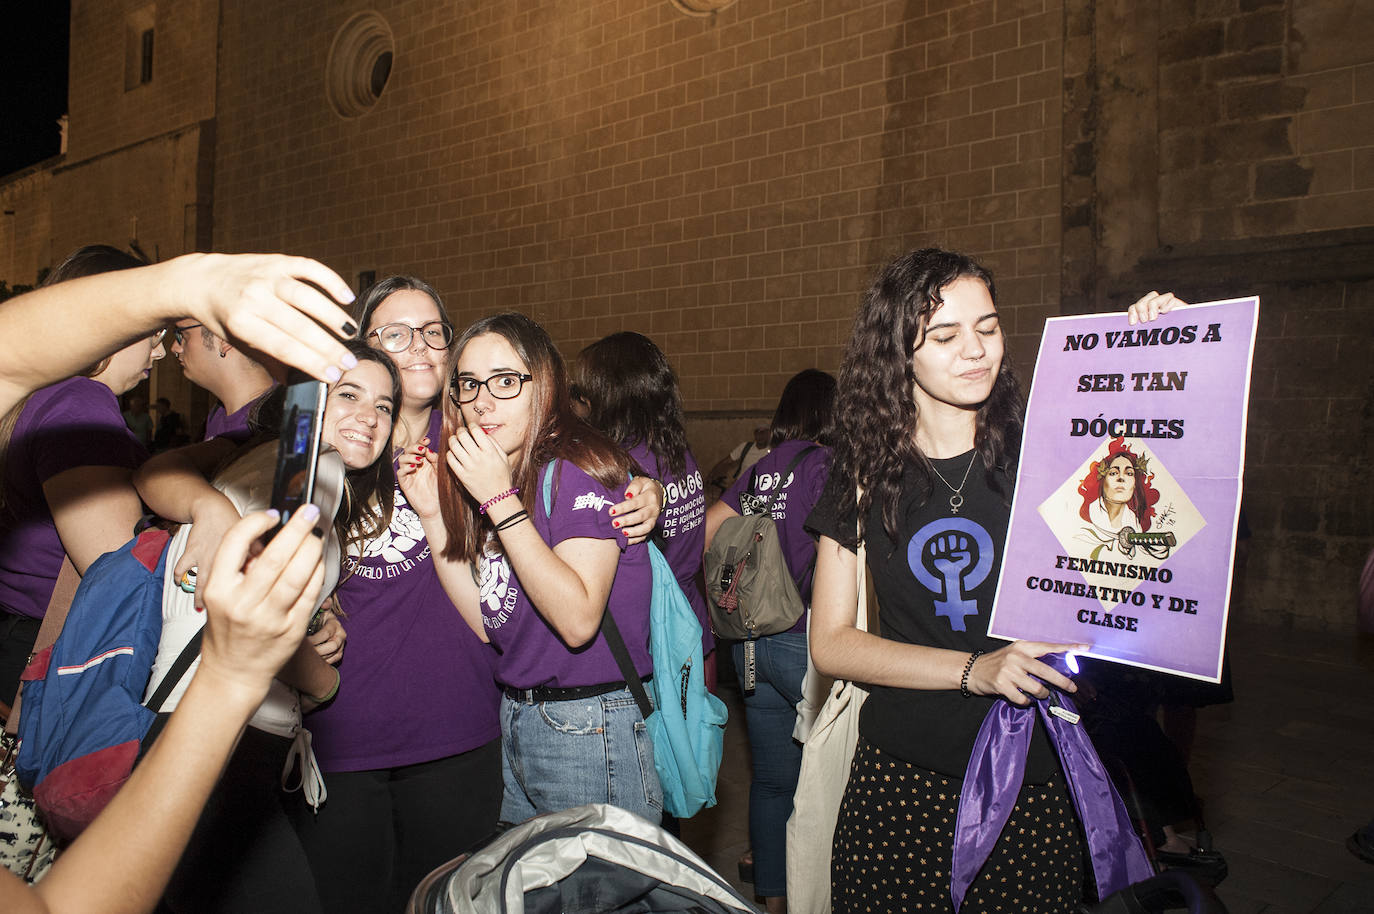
x=557, y=755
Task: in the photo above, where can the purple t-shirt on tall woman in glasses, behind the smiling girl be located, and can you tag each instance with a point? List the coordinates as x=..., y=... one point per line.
x=416, y=684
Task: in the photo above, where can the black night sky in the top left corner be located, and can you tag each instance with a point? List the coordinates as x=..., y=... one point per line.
x=34, y=82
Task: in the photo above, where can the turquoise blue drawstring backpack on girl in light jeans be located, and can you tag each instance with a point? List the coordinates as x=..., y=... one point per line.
x=686, y=722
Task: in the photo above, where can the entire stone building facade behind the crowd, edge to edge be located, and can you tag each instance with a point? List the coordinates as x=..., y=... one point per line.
x=728, y=183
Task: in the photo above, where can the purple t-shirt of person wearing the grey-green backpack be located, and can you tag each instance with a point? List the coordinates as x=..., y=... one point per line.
x=800, y=493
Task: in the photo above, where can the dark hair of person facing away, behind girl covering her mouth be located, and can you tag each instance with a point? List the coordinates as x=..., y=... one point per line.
x=633, y=395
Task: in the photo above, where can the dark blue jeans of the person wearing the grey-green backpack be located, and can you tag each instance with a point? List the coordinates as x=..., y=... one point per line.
x=770, y=715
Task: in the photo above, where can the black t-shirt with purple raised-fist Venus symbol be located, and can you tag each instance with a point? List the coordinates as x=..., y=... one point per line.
x=935, y=588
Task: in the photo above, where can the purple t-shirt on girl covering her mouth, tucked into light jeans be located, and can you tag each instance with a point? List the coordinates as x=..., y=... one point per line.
x=532, y=654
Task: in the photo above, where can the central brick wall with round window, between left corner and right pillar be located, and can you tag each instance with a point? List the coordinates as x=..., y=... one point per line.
x=725, y=185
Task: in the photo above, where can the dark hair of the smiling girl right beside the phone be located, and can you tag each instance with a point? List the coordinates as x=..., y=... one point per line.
x=369, y=493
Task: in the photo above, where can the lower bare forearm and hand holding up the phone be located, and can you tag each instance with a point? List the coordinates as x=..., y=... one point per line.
x=258, y=615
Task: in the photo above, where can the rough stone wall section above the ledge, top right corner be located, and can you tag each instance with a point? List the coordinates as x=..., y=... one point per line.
x=1266, y=119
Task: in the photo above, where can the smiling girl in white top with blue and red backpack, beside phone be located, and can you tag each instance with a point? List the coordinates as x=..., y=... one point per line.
x=245, y=856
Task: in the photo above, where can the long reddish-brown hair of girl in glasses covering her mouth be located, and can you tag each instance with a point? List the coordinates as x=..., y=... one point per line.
x=554, y=432
